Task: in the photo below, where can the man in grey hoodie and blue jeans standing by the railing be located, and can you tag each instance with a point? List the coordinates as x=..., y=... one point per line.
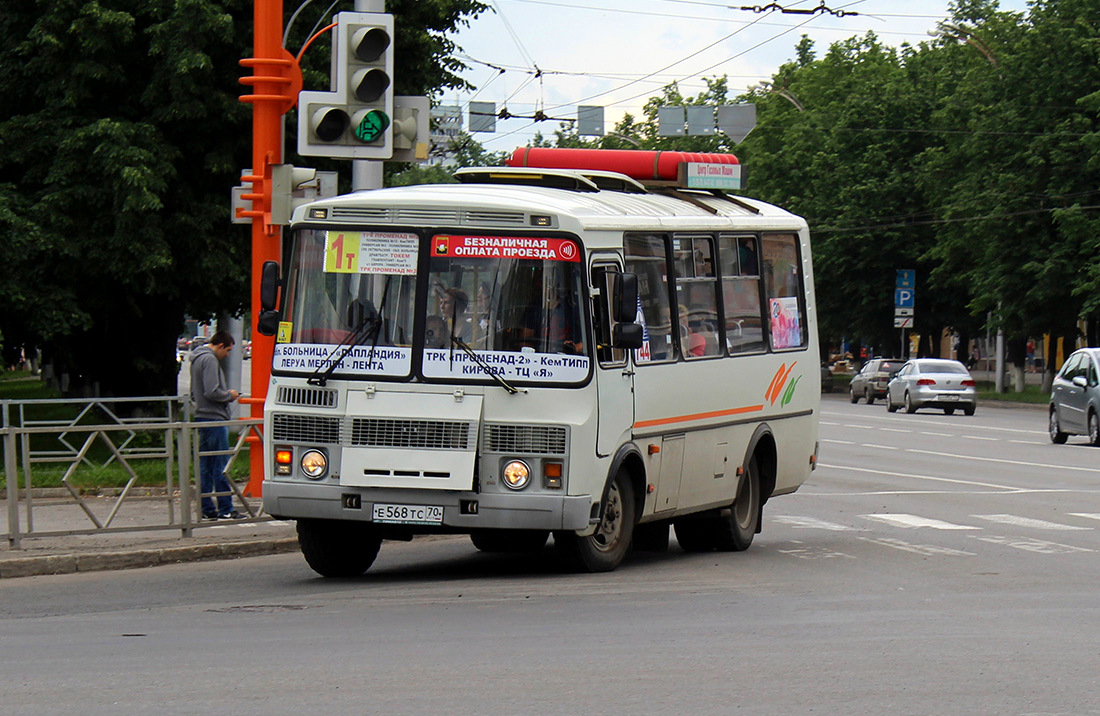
x=213, y=400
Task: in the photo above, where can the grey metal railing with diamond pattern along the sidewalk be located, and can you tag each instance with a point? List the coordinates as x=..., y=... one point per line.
x=130, y=439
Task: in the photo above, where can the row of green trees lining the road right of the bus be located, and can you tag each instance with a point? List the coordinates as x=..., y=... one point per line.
x=972, y=158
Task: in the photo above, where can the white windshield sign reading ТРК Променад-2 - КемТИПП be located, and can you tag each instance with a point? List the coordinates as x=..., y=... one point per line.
x=511, y=366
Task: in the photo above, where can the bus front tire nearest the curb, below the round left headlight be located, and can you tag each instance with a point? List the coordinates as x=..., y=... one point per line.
x=336, y=549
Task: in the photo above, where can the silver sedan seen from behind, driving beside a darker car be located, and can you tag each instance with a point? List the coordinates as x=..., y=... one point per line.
x=933, y=383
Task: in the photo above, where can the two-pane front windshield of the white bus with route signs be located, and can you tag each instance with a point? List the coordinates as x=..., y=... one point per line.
x=509, y=306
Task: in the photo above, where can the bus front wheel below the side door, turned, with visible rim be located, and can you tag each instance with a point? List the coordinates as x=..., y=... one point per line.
x=607, y=548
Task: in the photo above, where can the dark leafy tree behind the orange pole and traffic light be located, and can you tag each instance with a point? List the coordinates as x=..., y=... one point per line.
x=123, y=137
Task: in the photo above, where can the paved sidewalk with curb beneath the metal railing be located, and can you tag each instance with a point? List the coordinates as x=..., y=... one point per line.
x=65, y=555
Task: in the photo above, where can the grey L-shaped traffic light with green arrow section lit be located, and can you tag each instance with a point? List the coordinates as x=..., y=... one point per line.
x=356, y=119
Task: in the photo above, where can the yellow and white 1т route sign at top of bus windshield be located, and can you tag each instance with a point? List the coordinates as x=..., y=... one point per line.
x=371, y=252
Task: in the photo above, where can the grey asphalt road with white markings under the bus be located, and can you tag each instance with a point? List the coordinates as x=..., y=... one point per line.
x=932, y=565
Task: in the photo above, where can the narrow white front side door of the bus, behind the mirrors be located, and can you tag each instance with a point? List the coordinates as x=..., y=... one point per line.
x=614, y=371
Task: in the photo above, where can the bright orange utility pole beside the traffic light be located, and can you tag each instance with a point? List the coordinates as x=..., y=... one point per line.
x=276, y=83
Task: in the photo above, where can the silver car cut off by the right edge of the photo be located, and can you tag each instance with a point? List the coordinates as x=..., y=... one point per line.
x=1075, y=399
